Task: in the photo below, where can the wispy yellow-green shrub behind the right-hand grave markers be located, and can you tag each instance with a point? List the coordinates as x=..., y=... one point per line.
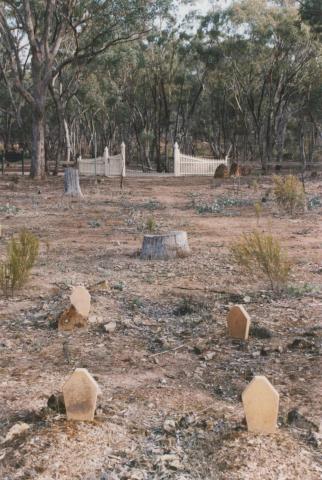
x=257, y=252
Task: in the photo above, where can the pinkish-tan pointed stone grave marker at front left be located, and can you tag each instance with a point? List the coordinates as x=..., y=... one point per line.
x=80, y=394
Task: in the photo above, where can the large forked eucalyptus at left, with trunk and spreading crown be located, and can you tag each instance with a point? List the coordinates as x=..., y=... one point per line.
x=42, y=37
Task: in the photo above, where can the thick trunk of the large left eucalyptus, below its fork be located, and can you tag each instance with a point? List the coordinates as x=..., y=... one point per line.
x=38, y=146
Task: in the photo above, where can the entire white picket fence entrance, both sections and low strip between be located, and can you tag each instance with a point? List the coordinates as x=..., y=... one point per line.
x=114, y=165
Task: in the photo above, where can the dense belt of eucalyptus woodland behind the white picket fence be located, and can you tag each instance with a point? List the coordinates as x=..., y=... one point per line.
x=76, y=76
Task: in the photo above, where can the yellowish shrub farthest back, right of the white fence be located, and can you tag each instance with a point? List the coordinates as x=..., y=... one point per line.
x=289, y=194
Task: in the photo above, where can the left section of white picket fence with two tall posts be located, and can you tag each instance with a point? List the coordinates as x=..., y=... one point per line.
x=107, y=165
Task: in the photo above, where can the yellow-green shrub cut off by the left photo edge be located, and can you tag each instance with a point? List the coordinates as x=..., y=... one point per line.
x=22, y=253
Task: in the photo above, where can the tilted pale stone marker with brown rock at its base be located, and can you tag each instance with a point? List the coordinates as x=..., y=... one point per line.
x=76, y=315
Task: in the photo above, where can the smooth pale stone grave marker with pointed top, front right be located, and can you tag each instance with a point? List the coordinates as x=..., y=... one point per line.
x=261, y=400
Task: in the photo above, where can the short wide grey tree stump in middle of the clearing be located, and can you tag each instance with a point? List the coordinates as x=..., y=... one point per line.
x=169, y=245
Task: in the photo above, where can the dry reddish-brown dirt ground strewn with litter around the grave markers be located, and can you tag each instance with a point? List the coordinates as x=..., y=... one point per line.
x=171, y=378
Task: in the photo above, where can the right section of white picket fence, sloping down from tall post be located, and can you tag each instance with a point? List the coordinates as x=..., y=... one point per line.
x=189, y=165
